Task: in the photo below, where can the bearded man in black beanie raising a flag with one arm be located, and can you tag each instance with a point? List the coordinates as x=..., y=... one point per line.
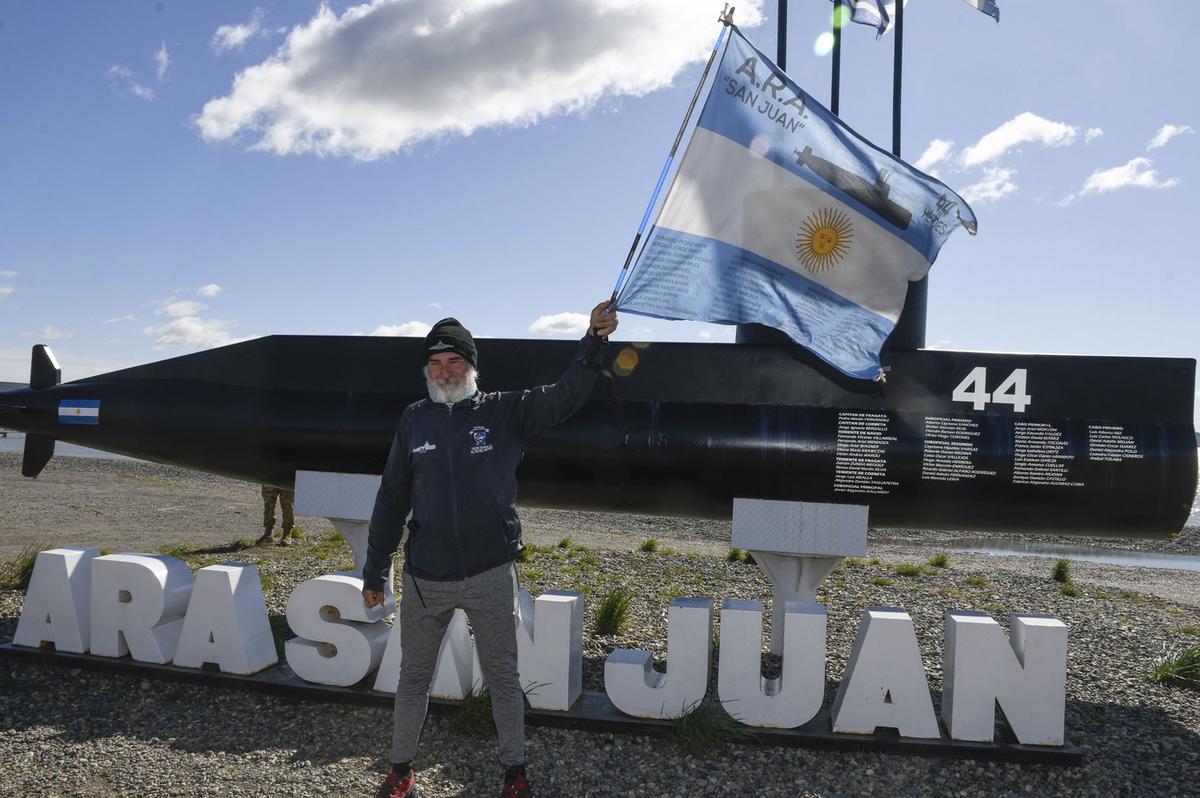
x=453, y=469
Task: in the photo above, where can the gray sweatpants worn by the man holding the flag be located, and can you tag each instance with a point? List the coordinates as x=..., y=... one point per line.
x=490, y=601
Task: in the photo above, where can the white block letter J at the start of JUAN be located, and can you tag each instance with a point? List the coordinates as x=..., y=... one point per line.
x=634, y=686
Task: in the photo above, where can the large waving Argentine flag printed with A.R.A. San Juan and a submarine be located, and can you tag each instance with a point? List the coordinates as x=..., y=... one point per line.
x=782, y=215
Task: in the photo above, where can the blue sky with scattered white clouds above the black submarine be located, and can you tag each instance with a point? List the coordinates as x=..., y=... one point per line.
x=178, y=176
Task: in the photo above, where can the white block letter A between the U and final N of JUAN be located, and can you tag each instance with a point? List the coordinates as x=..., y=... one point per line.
x=885, y=683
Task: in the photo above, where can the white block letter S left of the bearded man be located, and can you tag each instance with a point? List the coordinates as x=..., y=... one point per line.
x=340, y=643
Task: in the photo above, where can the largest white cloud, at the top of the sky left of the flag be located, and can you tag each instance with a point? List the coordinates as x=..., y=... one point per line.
x=386, y=75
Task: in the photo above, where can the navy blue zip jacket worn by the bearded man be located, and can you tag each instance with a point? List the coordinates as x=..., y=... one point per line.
x=454, y=469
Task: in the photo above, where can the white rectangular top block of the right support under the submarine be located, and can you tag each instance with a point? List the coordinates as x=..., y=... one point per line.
x=801, y=527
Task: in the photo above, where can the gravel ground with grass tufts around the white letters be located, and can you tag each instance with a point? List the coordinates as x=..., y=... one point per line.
x=80, y=734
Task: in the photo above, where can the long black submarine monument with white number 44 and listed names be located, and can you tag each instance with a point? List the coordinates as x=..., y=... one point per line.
x=952, y=441
